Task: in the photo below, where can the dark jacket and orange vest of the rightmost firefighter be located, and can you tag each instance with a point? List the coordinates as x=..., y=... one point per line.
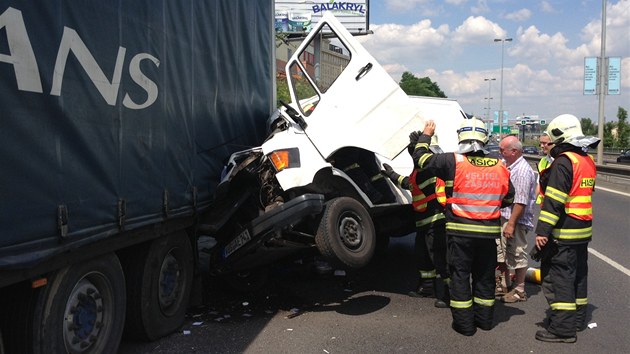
x=567, y=210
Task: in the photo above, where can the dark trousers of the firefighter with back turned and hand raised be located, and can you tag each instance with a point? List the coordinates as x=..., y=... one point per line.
x=476, y=257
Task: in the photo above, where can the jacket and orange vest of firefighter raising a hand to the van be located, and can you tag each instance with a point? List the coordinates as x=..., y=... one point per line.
x=472, y=210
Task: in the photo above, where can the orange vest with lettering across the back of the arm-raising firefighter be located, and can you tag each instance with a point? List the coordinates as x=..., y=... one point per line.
x=478, y=191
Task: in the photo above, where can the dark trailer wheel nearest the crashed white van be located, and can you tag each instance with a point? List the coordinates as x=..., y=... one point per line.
x=159, y=280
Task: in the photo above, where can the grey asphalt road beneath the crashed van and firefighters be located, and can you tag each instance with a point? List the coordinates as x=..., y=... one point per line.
x=368, y=311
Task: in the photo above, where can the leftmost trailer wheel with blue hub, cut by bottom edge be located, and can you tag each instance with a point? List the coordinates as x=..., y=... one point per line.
x=82, y=309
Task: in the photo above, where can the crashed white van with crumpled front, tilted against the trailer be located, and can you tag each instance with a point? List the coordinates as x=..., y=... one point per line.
x=315, y=182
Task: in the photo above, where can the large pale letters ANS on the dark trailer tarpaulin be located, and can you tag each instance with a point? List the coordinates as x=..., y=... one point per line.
x=26, y=69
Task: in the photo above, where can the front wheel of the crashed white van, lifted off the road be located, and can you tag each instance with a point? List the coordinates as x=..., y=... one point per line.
x=346, y=233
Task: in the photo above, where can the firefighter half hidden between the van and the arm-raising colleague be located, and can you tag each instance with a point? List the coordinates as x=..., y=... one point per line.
x=428, y=201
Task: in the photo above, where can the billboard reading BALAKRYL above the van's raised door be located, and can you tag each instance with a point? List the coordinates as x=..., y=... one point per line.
x=298, y=17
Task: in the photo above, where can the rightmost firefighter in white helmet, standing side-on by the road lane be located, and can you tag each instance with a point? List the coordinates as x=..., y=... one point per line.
x=564, y=228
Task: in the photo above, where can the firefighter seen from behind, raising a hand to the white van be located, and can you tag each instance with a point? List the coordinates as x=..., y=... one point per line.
x=477, y=188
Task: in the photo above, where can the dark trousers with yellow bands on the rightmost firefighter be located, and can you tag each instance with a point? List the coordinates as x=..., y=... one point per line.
x=564, y=283
